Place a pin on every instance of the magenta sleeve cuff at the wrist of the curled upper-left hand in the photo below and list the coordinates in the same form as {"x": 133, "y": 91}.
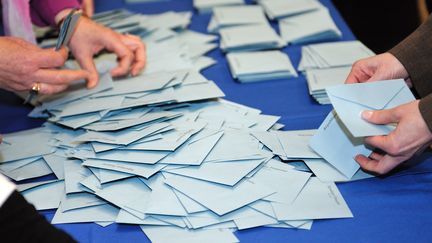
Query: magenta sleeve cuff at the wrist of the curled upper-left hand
{"x": 46, "y": 10}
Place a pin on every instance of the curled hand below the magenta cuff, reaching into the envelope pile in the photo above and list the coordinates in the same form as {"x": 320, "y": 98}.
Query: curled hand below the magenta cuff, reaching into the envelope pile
{"x": 90, "y": 38}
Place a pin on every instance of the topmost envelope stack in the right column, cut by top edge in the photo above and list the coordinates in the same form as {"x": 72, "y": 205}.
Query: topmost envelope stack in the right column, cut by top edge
{"x": 277, "y": 9}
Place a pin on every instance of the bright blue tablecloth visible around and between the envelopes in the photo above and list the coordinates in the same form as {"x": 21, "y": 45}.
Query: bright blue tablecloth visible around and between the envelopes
{"x": 396, "y": 208}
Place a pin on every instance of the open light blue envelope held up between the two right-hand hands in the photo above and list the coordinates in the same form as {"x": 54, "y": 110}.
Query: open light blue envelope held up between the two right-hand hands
{"x": 350, "y": 100}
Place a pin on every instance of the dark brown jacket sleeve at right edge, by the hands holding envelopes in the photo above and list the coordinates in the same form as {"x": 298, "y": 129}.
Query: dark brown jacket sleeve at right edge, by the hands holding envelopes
{"x": 415, "y": 53}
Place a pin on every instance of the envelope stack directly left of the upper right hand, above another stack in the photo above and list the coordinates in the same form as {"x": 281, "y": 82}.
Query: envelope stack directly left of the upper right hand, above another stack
{"x": 334, "y": 54}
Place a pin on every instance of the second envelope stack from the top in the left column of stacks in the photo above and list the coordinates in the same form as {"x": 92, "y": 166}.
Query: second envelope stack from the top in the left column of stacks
{"x": 236, "y": 15}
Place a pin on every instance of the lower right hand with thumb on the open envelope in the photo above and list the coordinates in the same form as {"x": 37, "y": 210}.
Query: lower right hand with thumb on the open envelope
{"x": 411, "y": 136}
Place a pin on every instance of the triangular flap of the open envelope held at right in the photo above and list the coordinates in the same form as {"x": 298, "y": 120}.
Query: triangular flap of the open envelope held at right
{"x": 375, "y": 95}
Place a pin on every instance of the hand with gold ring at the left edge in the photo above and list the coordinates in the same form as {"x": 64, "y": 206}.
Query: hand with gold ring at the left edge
{"x": 23, "y": 64}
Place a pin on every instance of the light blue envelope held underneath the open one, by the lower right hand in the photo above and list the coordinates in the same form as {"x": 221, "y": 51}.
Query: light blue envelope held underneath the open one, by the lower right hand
{"x": 336, "y": 145}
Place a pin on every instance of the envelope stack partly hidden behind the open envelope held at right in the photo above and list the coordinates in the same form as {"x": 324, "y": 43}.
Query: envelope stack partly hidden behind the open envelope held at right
{"x": 320, "y": 79}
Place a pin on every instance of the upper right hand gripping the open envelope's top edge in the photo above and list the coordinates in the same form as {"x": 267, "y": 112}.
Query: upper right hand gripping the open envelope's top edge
{"x": 381, "y": 67}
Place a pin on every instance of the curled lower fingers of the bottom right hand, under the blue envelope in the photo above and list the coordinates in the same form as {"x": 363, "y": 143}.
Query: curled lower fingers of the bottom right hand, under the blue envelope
{"x": 382, "y": 166}
